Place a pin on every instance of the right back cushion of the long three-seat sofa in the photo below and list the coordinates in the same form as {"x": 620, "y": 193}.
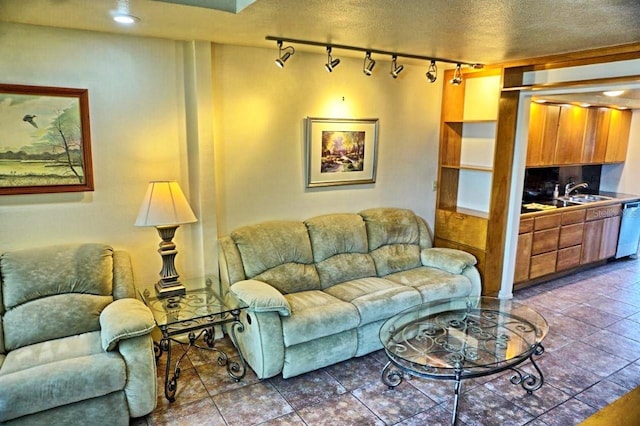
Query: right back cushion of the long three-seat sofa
{"x": 394, "y": 239}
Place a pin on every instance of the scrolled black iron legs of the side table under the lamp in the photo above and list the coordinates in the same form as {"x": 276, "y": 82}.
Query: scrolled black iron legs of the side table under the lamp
{"x": 235, "y": 370}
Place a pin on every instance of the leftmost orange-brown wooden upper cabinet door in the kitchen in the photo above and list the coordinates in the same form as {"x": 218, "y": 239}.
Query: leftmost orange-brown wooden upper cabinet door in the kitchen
{"x": 543, "y": 127}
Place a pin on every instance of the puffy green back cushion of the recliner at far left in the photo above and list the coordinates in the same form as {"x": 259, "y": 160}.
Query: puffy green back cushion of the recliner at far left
{"x": 54, "y": 292}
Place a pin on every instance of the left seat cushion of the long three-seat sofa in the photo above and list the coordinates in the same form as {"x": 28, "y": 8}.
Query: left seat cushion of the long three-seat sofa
{"x": 316, "y": 314}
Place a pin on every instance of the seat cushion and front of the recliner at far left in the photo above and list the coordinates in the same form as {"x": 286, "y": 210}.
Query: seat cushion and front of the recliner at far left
{"x": 58, "y": 372}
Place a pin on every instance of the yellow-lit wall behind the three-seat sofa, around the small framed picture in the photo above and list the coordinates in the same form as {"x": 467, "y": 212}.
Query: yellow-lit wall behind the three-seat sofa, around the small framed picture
{"x": 260, "y": 134}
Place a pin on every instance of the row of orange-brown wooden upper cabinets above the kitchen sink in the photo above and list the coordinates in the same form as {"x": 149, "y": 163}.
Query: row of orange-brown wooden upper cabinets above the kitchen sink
{"x": 562, "y": 135}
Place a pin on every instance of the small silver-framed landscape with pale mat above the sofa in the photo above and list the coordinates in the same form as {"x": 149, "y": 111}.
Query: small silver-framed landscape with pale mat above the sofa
{"x": 341, "y": 151}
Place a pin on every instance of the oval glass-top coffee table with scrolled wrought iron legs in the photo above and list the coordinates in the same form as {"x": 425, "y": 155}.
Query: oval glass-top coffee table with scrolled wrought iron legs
{"x": 457, "y": 339}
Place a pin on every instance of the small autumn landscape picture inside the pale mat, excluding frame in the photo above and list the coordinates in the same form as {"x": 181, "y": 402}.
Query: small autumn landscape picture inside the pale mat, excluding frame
{"x": 342, "y": 151}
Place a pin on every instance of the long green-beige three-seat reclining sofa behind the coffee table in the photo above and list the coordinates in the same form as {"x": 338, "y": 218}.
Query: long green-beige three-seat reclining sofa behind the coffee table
{"x": 318, "y": 290}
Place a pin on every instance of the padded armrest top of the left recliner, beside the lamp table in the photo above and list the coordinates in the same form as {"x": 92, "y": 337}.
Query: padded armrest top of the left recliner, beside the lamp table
{"x": 124, "y": 319}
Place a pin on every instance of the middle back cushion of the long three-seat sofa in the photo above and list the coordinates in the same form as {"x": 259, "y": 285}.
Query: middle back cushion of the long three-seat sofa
{"x": 340, "y": 248}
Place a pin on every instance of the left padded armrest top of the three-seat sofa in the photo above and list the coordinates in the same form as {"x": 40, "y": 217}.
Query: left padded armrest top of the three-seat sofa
{"x": 261, "y": 297}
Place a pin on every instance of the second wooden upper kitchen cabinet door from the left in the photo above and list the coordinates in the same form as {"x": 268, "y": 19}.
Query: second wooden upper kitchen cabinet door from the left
{"x": 571, "y": 131}
